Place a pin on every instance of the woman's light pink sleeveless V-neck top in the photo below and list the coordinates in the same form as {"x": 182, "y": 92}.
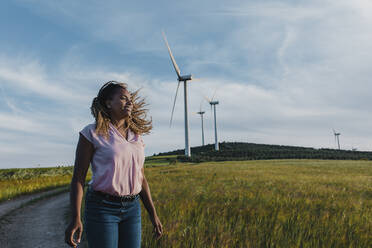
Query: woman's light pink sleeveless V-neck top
{"x": 116, "y": 162}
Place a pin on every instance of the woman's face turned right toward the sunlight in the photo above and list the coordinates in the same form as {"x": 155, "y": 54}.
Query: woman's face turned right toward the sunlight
{"x": 120, "y": 105}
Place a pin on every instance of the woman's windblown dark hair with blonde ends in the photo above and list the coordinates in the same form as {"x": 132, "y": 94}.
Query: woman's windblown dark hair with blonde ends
{"x": 137, "y": 121}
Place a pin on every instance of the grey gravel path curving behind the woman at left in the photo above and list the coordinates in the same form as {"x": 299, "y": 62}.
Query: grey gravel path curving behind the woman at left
{"x": 40, "y": 224}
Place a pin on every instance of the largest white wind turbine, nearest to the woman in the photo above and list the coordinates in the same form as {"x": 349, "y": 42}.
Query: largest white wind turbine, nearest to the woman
{"x": 184, "y": 79}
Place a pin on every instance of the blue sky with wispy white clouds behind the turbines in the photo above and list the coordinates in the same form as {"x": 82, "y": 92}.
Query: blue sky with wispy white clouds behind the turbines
{"x": 285, "y": 72}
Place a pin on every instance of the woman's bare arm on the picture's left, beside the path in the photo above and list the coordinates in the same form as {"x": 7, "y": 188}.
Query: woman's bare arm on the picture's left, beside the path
{"x": 84, "y": 153}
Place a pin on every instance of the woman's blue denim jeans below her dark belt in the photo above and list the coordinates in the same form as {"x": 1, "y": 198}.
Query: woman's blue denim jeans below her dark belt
{"x": 111, "y": 224}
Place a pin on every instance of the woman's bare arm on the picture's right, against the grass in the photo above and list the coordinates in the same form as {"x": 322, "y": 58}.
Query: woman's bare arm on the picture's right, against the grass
{"x": 149, "y": 205}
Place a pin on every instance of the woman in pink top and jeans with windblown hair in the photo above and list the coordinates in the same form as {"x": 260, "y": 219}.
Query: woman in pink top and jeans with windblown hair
{"x": 114, "y": 147}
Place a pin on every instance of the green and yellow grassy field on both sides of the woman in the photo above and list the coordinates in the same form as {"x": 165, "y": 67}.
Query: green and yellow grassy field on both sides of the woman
{"x": 265, "y": 203}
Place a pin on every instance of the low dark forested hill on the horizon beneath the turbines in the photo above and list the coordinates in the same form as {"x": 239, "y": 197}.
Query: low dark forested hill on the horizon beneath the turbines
{"x": 251, "y": 151}
